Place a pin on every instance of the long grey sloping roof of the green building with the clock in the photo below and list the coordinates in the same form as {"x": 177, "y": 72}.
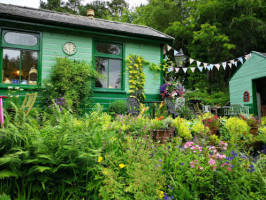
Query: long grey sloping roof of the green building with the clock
{"x": 48, "y": 16}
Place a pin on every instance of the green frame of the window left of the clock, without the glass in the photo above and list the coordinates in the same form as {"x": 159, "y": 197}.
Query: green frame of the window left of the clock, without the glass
{"x": 37, "y": 48}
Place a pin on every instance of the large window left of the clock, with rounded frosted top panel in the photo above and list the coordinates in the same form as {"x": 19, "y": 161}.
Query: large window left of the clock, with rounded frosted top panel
{"x": 20, "y": 55}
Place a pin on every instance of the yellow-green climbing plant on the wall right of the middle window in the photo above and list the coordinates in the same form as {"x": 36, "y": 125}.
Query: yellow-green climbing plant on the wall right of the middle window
{"x": 136, "y": 76}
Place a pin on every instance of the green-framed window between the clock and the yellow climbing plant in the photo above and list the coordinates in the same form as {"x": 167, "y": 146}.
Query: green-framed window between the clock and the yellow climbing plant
{"x": 108, "y": 62}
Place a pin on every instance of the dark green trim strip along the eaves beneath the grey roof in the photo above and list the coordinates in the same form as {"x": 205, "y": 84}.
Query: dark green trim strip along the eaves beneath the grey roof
{"x": 133, "y": 36}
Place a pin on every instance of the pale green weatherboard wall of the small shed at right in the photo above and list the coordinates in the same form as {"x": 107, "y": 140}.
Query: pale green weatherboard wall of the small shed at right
{"x": 243, "y": 79}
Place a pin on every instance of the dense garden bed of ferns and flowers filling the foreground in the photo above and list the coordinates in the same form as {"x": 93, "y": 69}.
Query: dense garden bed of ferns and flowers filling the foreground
{"x": 56, "y": 155}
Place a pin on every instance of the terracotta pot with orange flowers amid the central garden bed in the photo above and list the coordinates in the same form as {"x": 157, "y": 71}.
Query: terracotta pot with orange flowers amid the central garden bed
{"x": 161, "y": 129}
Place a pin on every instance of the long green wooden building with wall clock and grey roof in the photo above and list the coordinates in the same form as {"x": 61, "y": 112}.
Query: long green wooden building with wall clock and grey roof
{"x": 31, "y": 39}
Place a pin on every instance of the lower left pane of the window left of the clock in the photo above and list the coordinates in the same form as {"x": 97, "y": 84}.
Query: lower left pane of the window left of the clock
{"x": 11, "y": 60}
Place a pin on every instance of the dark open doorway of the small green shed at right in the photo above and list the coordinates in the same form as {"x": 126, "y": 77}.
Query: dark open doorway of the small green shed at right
{"x": 261, "y": 96}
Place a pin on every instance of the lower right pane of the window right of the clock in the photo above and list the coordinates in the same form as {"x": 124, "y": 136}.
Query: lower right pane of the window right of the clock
{"x": 115, "y": 73}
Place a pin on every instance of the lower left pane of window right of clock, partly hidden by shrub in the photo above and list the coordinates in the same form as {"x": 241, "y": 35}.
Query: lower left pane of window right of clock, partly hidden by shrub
{"x": 102, "y": 68}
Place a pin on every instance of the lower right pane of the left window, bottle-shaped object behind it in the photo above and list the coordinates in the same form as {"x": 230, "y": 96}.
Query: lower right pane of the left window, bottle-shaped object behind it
{"x": 29, "y": 60}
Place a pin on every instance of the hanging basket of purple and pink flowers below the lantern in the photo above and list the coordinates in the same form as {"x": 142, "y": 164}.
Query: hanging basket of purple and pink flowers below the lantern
{"x": 172, "y": 90}
